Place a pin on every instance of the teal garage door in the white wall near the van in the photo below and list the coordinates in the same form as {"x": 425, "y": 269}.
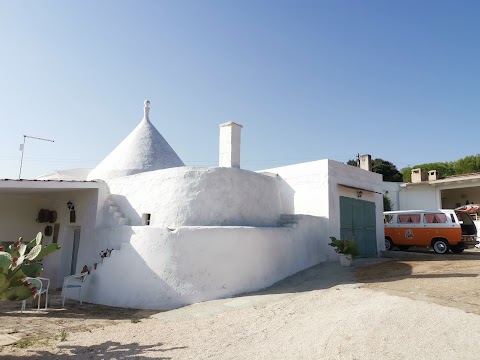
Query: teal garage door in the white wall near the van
{"x": 357, "y": 220}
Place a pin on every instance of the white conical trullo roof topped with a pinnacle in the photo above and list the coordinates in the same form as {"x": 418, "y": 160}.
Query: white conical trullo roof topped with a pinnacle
{"x": 143, "y": 150}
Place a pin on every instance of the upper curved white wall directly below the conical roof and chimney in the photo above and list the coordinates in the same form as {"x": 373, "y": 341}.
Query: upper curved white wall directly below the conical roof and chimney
{"x": 187, "y": 196}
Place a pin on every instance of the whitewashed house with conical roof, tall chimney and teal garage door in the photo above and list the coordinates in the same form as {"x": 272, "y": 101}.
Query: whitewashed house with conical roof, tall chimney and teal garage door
{"x": 186, "y": 234}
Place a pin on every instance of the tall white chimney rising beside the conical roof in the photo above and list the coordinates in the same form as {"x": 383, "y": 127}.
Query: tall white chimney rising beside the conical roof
{"x": 230, "y": 134}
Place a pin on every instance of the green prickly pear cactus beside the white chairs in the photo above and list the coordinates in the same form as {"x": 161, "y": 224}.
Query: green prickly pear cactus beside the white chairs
{"x": 19, "y": 261}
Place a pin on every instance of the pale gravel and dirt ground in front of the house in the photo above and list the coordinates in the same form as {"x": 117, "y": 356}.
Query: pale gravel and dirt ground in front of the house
{"x": 324, "y": 312}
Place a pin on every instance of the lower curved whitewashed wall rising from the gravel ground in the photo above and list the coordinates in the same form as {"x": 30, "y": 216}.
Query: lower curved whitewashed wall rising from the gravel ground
{"x": 162, "y": 269}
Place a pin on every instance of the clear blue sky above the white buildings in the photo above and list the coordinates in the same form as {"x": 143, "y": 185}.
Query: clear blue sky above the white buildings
{"x": 308, "y": 80}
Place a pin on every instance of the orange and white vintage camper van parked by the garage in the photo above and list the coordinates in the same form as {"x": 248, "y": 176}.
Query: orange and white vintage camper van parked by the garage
{"x": 443, "y": 230}
